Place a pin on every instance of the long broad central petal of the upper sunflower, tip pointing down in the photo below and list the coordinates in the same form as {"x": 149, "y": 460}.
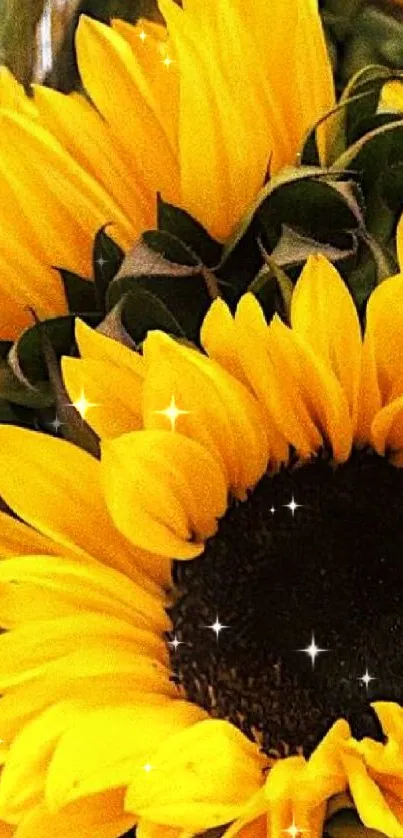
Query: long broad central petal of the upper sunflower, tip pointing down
{"x": 217, "y": 188}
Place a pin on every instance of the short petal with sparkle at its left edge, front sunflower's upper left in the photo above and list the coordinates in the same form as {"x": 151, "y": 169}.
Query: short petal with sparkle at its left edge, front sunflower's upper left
{"x": 114, "y": 395}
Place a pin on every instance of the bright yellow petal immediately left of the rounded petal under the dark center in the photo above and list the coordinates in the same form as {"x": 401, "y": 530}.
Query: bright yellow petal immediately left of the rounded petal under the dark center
{"x": 119, "y": 742}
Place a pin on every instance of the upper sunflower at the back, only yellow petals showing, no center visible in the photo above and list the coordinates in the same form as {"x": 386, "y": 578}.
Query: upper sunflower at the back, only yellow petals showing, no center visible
{"x": 199, "y": 112}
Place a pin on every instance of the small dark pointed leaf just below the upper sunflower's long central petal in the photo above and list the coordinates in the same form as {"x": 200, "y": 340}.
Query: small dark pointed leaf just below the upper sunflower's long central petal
{"x": 180, "y": 224}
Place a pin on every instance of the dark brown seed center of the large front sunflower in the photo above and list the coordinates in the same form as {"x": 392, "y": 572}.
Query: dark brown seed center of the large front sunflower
{"x": 332, "y": 571}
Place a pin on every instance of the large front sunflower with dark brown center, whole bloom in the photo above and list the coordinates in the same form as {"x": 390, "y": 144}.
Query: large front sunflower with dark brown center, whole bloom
{"x": 283, "y": 435}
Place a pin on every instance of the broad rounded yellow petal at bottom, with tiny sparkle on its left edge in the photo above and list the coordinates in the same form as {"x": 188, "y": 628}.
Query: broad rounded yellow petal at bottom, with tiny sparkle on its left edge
{"x": 199, "y": 778}
